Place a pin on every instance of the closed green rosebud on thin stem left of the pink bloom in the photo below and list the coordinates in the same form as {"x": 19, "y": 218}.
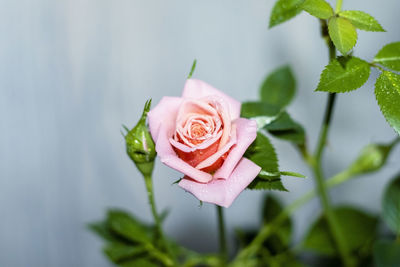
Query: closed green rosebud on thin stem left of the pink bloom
{"x": 140, "y": 146}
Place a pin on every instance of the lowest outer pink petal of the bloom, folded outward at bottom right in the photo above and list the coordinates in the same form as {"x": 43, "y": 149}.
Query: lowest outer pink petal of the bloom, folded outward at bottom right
{"x": 223, "y": 192}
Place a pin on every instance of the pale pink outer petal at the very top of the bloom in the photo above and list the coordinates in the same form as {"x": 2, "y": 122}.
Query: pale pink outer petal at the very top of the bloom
{"x": 199, "y": 89}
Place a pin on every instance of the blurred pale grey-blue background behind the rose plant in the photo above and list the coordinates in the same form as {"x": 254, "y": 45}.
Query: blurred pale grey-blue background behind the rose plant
{"x": 73, "y": 71}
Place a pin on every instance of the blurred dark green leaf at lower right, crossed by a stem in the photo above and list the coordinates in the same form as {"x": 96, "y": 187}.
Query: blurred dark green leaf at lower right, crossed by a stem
{"x": 358, "y": 228}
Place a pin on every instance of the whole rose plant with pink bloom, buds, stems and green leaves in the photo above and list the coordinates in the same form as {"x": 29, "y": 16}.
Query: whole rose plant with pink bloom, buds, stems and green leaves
{"x": 222, "y": 146}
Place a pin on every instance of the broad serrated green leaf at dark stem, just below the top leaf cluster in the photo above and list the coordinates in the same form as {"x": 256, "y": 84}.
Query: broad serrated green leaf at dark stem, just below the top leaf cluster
{"x": 344, "y": 74}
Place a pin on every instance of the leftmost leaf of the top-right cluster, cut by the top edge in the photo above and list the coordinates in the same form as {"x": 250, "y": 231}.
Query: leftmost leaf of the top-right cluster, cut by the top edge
{"x": 284, "y": 10}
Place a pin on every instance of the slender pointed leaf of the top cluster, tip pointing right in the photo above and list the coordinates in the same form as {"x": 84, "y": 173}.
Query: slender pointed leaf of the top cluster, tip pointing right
{"x": 362, "y": 20}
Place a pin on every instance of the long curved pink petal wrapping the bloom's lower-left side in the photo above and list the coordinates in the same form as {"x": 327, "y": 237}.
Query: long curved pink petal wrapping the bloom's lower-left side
{"x": 169, "y": 157}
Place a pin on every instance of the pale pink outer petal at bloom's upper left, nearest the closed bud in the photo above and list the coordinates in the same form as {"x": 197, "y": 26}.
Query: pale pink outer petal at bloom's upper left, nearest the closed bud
{"x": 164, "y": 113}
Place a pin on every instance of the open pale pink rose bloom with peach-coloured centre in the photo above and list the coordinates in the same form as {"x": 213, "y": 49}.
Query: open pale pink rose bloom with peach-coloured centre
{"x": 201, "y": 135}
